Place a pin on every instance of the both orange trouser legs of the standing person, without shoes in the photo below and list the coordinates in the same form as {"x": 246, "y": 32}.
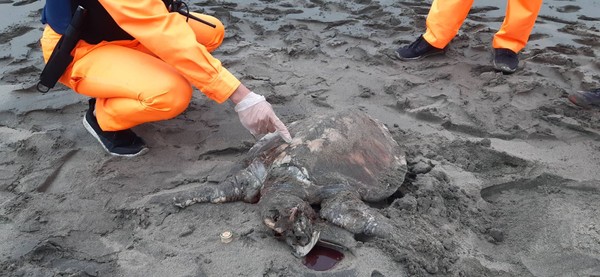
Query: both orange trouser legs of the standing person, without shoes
{"x": 446, "y": 16}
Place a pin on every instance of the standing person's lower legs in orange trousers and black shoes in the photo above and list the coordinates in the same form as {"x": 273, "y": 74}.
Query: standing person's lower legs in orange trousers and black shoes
{"x": 446, "y": 16}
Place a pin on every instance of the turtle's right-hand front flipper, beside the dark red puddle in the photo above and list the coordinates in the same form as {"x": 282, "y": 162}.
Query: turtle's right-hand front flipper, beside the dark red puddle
{"x": 348, "y": 211}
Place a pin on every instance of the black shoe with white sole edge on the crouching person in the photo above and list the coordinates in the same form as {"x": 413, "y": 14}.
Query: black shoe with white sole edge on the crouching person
{"x": 123, "y": 143}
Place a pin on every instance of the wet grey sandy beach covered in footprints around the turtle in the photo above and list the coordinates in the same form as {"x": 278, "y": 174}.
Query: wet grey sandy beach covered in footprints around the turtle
{"x": 503, "y": 177}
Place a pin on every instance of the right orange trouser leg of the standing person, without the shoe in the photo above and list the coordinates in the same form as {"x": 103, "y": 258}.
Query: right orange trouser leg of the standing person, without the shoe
{"x": 518, "y": 23}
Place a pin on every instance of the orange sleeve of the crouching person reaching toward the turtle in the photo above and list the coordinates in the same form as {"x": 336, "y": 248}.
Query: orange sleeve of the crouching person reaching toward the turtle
{"x": 169, "y": 37}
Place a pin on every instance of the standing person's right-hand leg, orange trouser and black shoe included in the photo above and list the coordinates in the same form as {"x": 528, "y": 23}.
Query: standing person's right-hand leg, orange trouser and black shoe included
{"x": 514, "y": 33}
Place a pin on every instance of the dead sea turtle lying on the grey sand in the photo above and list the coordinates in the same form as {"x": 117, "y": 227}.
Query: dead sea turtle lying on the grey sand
{"x": 339, "y": 161}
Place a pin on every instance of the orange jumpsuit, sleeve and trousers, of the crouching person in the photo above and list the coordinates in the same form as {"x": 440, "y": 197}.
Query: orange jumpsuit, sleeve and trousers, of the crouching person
{"x": 149, "y": 78}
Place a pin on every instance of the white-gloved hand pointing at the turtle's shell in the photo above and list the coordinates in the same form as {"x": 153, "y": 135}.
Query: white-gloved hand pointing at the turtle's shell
{"x": 257, "y": 115}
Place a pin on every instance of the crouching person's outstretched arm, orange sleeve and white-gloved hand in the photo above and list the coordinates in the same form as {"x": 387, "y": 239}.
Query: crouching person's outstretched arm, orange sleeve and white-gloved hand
{"x": 169, "y": 37}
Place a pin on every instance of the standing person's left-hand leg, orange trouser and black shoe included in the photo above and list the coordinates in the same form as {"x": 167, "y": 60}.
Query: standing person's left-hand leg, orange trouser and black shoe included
{"x": 443, "y": 22}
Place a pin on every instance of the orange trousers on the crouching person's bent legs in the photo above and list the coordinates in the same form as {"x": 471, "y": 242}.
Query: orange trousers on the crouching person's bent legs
{"x": 131, "y": 85}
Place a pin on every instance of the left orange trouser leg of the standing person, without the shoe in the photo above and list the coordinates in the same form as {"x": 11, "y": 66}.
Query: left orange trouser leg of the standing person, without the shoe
{"x": 444, "y": 20}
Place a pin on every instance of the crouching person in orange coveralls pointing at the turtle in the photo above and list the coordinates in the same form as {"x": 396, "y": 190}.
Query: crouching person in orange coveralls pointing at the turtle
{"x": 138, "y": 61}
